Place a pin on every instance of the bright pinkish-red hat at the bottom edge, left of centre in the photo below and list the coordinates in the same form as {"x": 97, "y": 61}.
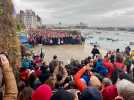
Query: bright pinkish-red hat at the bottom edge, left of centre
{"x": 44, "y": 92}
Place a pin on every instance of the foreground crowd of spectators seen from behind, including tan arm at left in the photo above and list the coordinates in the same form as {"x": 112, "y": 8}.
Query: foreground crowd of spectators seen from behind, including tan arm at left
{"x": 94, "y": 78}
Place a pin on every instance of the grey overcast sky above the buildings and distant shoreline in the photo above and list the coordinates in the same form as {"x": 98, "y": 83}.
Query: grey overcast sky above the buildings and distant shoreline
{"x": 92, "y": 12}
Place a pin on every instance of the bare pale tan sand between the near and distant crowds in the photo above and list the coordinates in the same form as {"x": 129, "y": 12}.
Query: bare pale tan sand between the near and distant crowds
{"x": 65, "y": 52}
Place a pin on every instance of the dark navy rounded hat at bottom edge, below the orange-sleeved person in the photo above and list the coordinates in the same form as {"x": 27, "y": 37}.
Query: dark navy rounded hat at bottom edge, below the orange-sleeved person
{"x": 91, "y": 93}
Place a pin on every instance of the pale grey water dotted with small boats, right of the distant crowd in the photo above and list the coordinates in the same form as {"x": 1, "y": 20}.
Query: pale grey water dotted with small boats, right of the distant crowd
{"x": 121, "y": 39}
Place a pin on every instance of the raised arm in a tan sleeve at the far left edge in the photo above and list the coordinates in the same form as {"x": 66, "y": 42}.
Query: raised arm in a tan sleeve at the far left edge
{"x": 9, "y": 79}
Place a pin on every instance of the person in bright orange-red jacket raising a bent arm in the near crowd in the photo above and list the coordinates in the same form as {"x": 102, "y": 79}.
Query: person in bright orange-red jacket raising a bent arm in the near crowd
{"x": 82, "y": 81}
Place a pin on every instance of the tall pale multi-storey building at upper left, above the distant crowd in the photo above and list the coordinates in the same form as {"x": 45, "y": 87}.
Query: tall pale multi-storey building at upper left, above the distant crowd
{"x": 29, "y": 19}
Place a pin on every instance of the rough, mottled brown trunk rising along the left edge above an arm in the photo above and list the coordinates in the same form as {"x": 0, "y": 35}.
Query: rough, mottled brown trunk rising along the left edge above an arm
{"x": 9, "y": 41}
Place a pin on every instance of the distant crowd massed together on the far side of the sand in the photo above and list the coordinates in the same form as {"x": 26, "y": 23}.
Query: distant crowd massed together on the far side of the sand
{"x": 53, "y": 38}
